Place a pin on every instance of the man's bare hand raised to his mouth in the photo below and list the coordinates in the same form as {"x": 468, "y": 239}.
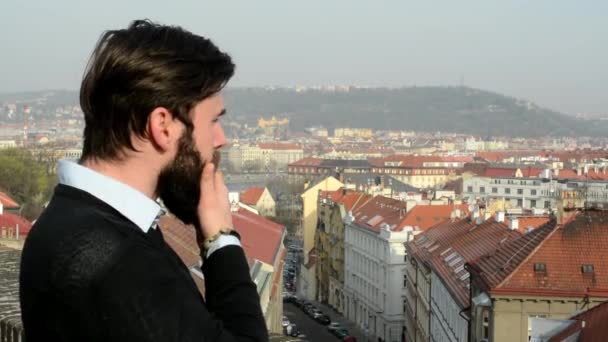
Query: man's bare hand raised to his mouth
{"x": 213, "y": 207}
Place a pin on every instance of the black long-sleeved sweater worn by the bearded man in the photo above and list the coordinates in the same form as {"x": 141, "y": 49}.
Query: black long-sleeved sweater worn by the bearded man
{"x": 90, "y": 274}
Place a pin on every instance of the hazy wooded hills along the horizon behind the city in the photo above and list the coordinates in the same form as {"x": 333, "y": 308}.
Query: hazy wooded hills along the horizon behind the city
{"x": 431, "y": 109}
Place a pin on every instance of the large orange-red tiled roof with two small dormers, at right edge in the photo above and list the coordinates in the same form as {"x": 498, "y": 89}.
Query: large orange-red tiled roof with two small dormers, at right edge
{"x": 564, "y": 249}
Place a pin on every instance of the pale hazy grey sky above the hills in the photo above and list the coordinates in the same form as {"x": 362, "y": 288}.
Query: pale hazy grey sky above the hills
{"x": 552, "y": 52}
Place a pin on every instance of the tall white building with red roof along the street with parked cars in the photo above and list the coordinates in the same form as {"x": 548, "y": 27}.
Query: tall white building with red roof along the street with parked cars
{"x": 375, "y": 260}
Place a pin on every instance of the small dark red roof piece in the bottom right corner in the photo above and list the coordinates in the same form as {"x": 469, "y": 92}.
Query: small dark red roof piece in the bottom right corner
{"x": 590, "y": 325}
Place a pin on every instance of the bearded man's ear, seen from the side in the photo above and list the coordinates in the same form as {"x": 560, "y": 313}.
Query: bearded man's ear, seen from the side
{"x": 163, "y": 129}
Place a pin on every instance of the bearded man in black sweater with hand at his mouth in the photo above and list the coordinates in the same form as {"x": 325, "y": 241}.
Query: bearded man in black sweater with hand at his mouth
{"x": 95, "y": 266}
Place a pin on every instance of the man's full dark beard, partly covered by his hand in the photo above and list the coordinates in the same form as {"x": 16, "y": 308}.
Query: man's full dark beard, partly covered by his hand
{"x": 179, "y": 184}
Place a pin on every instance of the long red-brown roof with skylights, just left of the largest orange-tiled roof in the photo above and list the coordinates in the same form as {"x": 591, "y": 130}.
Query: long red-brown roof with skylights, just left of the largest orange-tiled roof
{"x": 448, "y": 246}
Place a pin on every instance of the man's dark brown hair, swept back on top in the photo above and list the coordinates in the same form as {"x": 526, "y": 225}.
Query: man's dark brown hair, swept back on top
{"x": 135, "y": 70}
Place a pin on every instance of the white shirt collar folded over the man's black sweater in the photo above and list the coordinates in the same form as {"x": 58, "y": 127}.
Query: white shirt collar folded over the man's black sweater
{"x": 134, "y": 205}
